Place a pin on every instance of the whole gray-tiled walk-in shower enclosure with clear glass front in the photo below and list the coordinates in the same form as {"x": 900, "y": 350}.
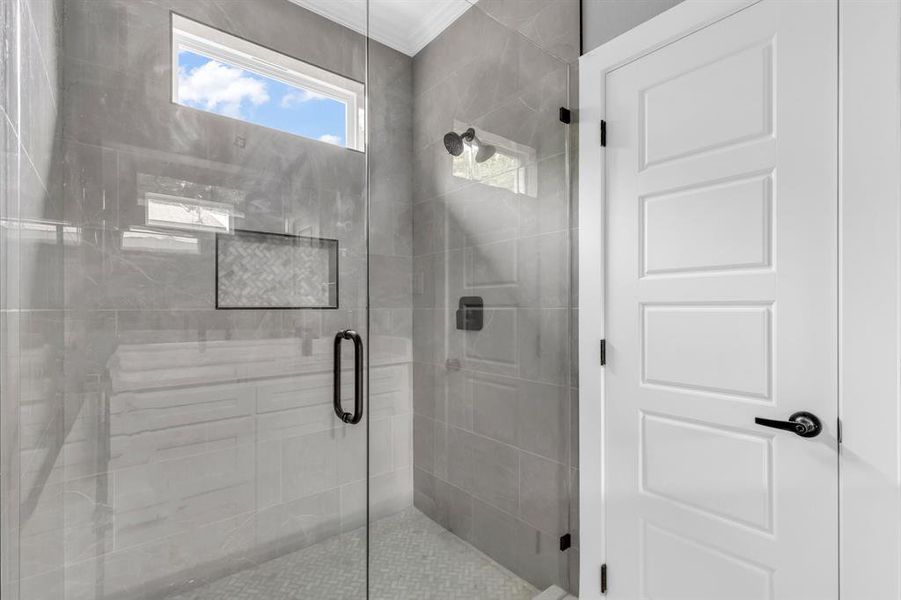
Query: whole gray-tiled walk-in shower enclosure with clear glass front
{"x": 261, "y": 334}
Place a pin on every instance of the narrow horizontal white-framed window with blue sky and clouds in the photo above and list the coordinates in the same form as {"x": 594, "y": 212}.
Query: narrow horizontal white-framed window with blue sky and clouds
{"x": 226, "y": 75}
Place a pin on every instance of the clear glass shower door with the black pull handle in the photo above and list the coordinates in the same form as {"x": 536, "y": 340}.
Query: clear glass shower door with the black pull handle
{"x": 184, "y": 235}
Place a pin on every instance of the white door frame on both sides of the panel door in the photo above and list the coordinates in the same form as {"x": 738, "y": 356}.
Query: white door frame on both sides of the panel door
{"x": 869, "y": 270}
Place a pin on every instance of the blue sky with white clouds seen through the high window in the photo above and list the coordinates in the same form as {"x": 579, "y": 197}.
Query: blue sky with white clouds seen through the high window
{"x": 227, "y": 90}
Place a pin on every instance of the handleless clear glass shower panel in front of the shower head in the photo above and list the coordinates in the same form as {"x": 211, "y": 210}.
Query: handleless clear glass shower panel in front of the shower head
{"x": 490, "y": 298}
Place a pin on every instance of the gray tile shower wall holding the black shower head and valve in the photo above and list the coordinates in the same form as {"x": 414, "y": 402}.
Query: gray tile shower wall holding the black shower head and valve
{"x": 494, "y": 410}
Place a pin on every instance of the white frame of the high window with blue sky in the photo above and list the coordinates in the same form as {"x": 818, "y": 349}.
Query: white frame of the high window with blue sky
{"x": 231, "y": 50}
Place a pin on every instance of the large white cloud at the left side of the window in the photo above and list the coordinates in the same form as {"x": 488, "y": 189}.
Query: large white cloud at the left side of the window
{"x": 220, "y": 88}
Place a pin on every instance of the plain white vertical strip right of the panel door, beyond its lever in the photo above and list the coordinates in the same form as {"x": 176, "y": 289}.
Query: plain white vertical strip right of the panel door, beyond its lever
{"x": 870, "y": 296}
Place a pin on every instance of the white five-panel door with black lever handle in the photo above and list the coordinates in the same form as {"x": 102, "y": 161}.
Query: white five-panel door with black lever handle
{"x": 721, "y": 308}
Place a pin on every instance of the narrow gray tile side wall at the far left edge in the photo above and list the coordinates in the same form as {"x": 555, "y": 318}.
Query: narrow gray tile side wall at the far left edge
{"x": 31, "y": 398}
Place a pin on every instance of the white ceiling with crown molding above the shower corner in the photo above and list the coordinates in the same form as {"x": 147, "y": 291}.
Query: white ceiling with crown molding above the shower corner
{"x": 405, "y": 25}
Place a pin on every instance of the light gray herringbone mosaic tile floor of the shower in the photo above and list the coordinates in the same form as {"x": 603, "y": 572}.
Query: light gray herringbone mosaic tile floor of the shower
{"x": 413, "y": 558}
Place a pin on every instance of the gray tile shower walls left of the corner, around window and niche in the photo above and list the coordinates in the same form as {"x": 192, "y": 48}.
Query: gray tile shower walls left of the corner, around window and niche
{"x": 148, "y": 439}
